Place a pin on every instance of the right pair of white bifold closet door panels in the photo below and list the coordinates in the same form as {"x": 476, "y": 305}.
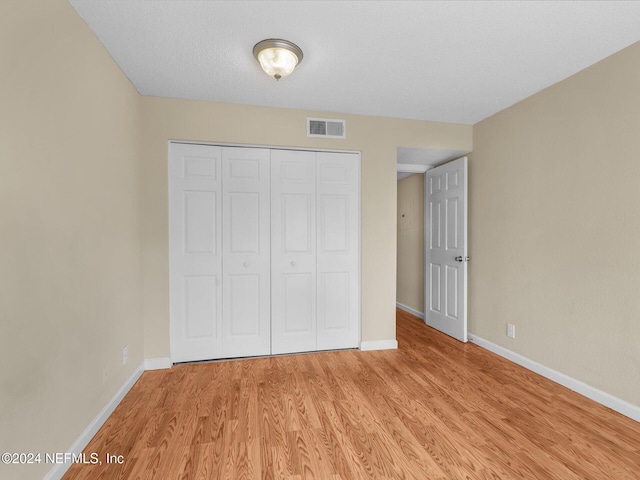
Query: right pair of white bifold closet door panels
{"x": 315, "y": 253}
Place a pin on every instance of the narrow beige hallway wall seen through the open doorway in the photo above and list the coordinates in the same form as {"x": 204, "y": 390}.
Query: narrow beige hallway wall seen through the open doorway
{"x": 410, "y": 279}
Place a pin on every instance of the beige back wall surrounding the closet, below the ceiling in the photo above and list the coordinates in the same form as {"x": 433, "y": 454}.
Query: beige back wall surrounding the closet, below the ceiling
{"x": 376, "y": 139}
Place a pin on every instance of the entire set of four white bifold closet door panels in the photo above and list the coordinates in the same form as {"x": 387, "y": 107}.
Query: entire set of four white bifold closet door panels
{"x": 264, "y": 251}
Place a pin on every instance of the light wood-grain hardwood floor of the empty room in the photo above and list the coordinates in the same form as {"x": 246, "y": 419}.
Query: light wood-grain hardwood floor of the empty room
{"x": 433, "y": 409}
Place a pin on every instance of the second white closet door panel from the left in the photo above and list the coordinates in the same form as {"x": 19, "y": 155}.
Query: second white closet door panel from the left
{"x": 246, "y": 211}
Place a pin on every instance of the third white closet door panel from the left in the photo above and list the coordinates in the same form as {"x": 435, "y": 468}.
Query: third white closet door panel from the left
{"x": 293, "y": 257}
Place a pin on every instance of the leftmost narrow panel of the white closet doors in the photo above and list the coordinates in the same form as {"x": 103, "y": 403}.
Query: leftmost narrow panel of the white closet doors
{"x": 195, "y": 251}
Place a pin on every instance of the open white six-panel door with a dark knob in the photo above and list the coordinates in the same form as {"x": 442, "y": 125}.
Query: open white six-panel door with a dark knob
{"x": 446, "y": 248}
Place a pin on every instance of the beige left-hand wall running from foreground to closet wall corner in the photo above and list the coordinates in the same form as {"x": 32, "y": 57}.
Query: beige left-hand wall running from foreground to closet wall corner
{"x": 70, "y": 262}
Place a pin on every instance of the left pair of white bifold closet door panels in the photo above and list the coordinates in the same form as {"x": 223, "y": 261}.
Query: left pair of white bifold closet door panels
{"x": 220, "y": 251}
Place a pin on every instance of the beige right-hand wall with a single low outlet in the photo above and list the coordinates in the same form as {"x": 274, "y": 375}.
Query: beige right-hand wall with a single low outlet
{"x": 555, "y": 226}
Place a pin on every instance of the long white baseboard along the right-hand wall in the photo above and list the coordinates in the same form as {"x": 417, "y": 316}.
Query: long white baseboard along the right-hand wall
{"x": 614, "y": 403}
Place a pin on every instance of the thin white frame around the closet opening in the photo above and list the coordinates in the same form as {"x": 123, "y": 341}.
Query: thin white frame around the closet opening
{"x": 273, "y": 147}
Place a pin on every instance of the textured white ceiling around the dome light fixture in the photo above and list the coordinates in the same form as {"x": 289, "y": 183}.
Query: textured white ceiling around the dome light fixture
{"x": 456, "y": 62}
